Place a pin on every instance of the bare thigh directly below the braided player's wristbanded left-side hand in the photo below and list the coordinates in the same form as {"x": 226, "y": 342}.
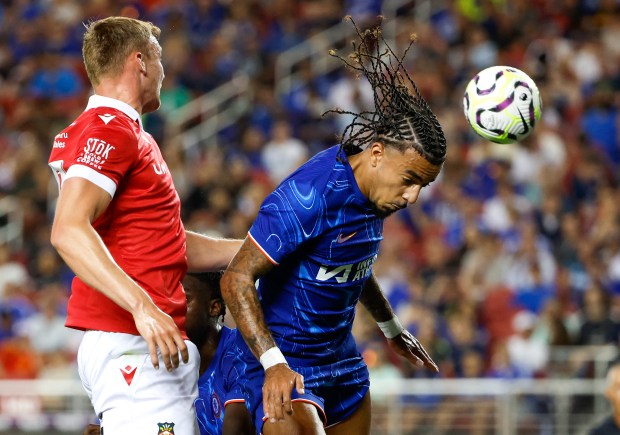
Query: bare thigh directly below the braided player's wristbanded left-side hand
{"x": 303, "y": 421}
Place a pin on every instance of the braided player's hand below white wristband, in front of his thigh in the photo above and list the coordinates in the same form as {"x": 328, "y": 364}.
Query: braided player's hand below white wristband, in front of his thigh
{"x": 279, "y": 383}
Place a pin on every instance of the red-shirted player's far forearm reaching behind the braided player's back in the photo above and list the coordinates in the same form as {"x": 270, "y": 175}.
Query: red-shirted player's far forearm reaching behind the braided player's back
{"x": 207, "y": 254}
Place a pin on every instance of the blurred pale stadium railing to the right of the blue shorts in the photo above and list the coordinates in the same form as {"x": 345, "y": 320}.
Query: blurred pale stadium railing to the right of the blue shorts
{"x": 485, "y": 406}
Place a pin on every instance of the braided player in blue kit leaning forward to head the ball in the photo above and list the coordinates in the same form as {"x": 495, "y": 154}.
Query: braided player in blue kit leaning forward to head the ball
{"x": 312, "y": 247}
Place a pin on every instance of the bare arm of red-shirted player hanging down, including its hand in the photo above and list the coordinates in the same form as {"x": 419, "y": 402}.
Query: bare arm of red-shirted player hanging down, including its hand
{"x": 80, "y": 202}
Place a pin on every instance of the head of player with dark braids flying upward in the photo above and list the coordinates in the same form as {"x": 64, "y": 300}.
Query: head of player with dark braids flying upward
{"x": 402, "y": 137}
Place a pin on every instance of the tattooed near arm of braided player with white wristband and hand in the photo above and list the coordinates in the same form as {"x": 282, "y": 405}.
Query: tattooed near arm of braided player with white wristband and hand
{"x": 239, "y": 293}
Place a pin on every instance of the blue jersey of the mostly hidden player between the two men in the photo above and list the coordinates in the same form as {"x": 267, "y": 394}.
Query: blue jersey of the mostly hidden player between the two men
{"x": 218, "y": 386}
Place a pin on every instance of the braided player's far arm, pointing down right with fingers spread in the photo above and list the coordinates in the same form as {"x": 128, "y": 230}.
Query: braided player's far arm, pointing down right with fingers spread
{"x": 399, "y": 339}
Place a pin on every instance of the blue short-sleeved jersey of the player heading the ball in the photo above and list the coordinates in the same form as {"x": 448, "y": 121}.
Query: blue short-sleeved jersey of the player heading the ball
{"x": 323, "y": 234}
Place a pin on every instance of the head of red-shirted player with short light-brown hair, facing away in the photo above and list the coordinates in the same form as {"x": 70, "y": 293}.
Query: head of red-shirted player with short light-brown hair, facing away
{"x": 115, "y": 43}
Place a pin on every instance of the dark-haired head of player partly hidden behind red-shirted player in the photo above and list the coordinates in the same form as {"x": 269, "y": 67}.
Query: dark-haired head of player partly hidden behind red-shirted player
{"x": 204, "y": 305}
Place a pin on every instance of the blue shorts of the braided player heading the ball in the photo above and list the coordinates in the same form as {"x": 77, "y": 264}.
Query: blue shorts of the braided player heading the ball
{"x": 337, "y": 389}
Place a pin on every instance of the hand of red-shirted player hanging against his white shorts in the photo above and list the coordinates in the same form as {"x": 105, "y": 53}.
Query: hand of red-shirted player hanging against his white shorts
{"x": 160, "y": 332}
